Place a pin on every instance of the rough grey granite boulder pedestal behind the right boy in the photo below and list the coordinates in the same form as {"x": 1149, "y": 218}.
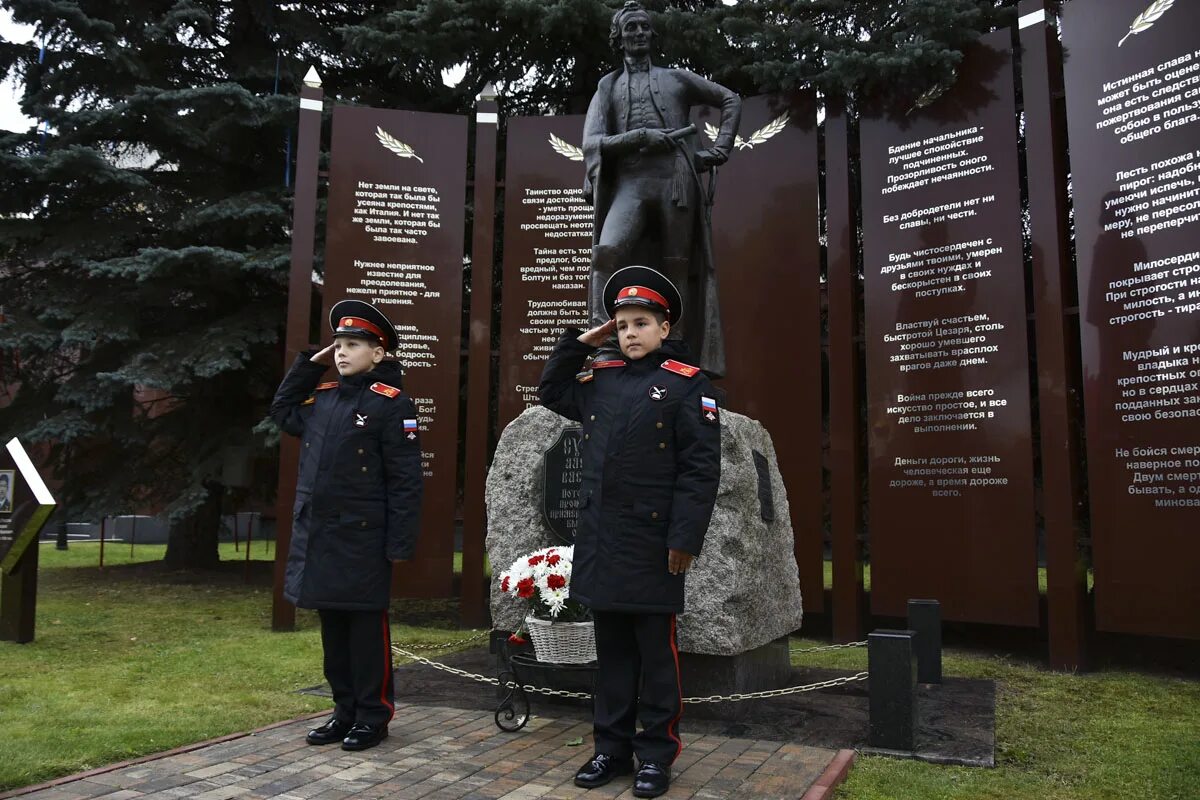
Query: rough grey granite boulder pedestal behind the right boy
{"x": 743, "y": 593}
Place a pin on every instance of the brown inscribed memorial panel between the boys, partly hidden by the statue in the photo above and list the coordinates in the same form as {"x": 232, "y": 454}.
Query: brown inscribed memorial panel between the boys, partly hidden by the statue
{"x": 548, "y": 251}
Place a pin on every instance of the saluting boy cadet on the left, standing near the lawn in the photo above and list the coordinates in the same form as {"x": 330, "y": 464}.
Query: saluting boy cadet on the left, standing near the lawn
{"x": 357, "y": 512}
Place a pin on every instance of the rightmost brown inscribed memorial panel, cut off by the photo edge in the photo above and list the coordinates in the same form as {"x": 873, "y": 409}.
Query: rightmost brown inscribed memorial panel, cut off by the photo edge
{"x": 1133, "y": 107}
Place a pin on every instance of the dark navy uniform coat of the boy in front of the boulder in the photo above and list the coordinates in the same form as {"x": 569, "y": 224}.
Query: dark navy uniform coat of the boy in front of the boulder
{"x": 652, "y": 465}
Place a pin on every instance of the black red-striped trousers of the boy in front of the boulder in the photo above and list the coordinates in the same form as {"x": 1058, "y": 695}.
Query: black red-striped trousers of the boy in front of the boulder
{"x": 638, "y": 677}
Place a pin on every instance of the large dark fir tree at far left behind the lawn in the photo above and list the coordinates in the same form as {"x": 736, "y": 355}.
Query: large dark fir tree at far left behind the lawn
{"x": 146, "y": 249}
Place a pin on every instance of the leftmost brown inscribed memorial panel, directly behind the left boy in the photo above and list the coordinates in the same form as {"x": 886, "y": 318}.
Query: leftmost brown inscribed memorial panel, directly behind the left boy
{"x": 395, "y": 239}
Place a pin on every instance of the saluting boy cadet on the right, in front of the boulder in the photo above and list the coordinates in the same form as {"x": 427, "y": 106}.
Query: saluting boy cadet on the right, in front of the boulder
{"x": 652, "y": 464}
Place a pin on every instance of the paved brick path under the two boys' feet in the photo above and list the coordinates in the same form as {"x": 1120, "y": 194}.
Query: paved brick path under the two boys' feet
{"x": 442, "y": 754}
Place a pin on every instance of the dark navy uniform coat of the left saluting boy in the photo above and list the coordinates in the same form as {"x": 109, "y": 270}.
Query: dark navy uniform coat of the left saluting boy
{"x": 359, "y": 492}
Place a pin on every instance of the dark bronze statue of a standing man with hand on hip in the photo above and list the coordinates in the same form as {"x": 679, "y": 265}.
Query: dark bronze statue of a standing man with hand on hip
{"x": 644, "y": 179}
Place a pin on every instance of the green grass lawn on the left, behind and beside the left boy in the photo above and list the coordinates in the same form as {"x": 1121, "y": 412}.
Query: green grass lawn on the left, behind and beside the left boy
{"x": 131, "y": 660}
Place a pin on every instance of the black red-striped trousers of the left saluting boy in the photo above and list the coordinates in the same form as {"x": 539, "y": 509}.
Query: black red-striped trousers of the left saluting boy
{"x": 358, "y": 665}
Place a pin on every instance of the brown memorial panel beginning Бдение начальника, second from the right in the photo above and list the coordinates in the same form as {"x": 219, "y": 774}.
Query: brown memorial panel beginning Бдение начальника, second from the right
{"x": 947, "y": 365}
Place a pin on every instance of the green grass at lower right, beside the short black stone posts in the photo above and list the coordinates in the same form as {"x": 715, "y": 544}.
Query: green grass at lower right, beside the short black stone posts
{"x": 1060, "y": 737}
